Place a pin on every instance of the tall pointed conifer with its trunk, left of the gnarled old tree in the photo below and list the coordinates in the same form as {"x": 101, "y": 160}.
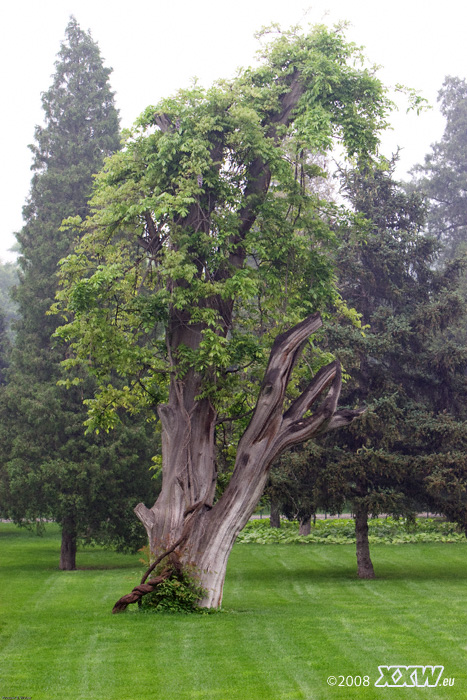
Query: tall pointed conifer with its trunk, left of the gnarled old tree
{"x": 52, "y": 469}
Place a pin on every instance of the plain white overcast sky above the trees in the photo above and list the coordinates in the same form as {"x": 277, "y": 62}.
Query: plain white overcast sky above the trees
{"x": 156, "y": 47}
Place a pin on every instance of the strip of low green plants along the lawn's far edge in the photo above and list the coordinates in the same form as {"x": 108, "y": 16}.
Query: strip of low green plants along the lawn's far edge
{"x": 342, "y": 531}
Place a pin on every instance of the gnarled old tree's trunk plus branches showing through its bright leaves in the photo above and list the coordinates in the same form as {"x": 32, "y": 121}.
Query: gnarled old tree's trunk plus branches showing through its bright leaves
{"x": 184, "y": 512}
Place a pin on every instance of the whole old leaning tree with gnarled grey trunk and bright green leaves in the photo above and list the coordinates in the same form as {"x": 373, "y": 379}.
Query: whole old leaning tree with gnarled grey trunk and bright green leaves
{"x": 200, "y": 275}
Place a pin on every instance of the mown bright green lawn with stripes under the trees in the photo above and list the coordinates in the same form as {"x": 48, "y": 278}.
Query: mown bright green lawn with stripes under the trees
{"x": 293, "y": 616}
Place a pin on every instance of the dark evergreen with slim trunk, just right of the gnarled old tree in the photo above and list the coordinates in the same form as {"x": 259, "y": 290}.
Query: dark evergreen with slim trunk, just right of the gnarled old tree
{"x": 407, "y": 367}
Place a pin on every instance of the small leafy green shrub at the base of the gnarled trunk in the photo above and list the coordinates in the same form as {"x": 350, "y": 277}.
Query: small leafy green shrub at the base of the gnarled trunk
{"x": 180, "y": 593}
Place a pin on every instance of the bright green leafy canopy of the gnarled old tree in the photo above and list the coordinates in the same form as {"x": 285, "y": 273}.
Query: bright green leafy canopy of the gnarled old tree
{"x": 207, "y": 221}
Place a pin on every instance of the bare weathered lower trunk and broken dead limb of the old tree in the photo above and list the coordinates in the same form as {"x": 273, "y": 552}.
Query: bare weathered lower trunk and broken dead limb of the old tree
{"x": 189, "y": 471}
